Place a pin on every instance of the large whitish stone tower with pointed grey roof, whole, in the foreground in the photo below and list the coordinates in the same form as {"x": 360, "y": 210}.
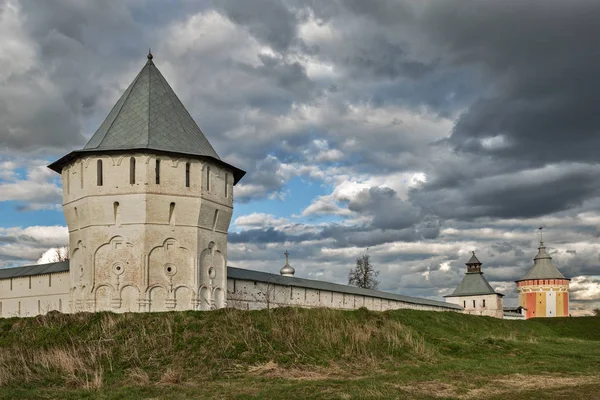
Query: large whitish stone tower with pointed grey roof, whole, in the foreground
{"x": 148, "y": 203}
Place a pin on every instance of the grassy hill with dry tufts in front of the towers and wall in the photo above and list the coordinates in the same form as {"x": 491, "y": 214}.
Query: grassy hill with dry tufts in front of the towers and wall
{"x": 298, "y": 353}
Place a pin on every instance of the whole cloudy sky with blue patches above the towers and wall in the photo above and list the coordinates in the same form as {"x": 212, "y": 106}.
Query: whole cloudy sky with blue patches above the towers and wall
{"x": 416, "y": 131}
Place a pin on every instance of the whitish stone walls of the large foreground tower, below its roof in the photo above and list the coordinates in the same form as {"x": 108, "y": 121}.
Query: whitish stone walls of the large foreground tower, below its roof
{"x": 138, "y": 244}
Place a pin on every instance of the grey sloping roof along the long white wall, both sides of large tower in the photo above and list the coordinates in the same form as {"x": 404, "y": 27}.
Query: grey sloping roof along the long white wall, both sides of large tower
{"x": 249, "y": 275}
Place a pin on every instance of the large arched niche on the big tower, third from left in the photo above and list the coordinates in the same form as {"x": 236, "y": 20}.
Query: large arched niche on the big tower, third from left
{"x": 170, "y": 265}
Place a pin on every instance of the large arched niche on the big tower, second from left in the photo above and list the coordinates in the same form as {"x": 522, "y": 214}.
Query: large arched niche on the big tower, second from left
{"x": 115, "y": 264}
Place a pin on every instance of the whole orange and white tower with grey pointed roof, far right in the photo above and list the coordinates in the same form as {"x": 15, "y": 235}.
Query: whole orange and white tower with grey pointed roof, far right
{"x": 544, "y": 291}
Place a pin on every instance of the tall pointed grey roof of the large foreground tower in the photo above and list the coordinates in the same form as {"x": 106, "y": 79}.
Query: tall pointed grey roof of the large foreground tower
{"x": 150, "y": 115}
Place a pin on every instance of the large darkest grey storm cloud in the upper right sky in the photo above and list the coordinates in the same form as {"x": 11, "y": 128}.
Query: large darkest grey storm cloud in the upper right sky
{"x": 544, "y": 71}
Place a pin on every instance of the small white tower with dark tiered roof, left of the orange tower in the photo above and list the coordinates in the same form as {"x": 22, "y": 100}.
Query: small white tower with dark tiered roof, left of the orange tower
{"x": 475, "y": 294}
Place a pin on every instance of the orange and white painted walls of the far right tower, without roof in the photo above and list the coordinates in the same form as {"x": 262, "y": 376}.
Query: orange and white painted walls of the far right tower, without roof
{"x": 544, "y": 298}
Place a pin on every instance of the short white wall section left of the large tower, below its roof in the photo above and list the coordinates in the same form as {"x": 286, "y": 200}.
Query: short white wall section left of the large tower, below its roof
{"x": 34, "y": 295}
